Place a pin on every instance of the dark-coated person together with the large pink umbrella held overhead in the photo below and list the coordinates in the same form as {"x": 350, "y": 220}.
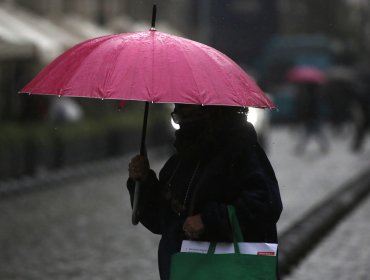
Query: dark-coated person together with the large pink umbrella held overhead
{"x": 218, "y": 161}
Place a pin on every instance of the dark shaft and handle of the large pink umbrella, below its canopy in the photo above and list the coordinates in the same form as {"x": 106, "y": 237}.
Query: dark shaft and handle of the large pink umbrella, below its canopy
{"x": 143, "y": 152}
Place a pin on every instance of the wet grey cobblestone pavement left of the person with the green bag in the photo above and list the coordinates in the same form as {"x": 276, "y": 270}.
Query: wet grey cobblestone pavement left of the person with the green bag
{"x": 79, "y": 231}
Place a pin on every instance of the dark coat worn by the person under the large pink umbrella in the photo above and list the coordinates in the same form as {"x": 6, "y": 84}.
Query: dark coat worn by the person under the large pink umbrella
{"x": 234, "y": 171}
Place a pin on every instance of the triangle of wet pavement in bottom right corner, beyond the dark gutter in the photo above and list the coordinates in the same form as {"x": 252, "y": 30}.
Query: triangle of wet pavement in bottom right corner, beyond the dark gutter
{"x": 342, "y": 255}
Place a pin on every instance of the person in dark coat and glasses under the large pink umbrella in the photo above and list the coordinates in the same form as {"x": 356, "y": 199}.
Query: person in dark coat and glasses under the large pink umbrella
{"x": 218, "y": 162}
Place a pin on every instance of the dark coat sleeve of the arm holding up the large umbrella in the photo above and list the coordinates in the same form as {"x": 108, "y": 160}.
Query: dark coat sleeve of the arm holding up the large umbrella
{"x": 149, "y": 202}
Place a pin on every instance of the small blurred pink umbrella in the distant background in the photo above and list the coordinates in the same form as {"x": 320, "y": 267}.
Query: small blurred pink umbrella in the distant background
{"x": 306, "y": 74}
